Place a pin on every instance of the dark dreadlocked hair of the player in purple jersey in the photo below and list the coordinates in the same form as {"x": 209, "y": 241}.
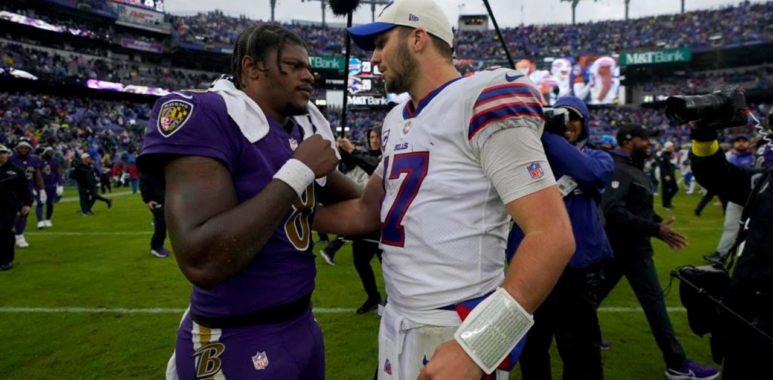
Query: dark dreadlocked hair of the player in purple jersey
{"x": 256, "y": 42}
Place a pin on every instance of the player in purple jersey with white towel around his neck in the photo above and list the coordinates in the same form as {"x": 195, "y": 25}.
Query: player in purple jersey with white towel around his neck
{"x": 239, "y": 163}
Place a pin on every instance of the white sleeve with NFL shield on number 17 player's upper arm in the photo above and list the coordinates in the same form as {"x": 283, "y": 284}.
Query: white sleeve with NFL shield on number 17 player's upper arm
{"x": 514, "y": 160}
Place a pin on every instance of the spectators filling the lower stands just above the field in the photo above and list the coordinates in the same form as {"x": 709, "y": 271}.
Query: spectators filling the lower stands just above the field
{"x": 69, "y": 123}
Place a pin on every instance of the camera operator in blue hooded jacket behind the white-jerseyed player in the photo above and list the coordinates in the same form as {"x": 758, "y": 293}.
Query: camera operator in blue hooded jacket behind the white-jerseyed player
{"x": 569, "y": 312}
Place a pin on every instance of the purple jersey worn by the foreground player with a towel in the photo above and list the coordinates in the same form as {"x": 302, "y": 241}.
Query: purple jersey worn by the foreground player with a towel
{"x": 197, "y": 124}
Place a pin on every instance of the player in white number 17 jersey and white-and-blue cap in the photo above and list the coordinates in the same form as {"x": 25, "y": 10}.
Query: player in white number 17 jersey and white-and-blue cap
{"x": 461, "y": 157}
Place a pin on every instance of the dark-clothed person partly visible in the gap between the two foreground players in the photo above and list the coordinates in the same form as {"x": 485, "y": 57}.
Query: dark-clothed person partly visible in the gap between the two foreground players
{"x": 364, "y": 247}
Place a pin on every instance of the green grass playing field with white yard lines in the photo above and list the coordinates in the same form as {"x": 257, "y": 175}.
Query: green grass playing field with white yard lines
{"x": 88, "y": 301}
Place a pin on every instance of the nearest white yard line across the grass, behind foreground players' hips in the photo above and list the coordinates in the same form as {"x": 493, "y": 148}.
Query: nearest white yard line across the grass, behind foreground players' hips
{"x": 319, "y": 310}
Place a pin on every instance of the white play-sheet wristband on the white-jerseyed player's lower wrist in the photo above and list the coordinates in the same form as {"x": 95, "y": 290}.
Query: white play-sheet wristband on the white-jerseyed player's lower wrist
{"x": 492, "y": 329}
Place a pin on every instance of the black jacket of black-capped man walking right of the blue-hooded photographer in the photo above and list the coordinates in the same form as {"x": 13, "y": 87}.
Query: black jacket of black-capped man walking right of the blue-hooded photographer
{"x": 627, "y": 204}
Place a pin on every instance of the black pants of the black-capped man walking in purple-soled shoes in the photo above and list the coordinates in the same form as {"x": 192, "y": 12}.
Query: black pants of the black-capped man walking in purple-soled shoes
{"x": 639, "y": 269}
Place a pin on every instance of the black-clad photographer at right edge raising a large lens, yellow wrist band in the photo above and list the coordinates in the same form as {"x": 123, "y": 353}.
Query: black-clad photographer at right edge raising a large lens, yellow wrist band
{"x": 746, "y": 348}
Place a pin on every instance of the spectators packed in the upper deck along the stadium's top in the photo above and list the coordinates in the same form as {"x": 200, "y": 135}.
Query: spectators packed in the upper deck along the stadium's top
{"x": 728, "y": 26}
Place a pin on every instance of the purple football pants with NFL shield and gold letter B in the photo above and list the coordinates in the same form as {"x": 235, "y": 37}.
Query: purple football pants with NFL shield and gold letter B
{"x": 288, "y": 350}
